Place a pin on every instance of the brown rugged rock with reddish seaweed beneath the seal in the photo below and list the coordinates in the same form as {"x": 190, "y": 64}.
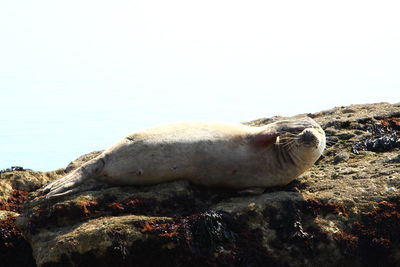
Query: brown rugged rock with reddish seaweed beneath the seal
{"x": 344, "y": 211}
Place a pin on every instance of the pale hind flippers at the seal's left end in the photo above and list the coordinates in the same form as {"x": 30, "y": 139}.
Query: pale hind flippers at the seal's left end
{"x": 67, "y": 184}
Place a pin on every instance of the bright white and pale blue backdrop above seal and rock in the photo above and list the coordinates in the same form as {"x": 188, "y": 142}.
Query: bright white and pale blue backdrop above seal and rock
{"x": 76, "y": 76}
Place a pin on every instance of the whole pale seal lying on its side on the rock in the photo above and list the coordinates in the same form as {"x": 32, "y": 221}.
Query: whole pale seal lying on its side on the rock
{"x": 210, "y": 154}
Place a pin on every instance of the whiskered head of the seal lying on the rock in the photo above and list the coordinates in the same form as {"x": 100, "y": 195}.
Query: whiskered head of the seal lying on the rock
{"x": 302, "y": 140}
